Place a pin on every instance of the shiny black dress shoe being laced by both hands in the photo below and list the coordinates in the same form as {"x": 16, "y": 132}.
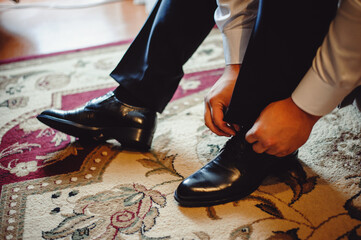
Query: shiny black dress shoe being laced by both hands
{"x": 235, "y": 173}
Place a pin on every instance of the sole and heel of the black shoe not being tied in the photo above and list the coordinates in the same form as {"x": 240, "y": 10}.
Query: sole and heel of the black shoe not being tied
{"x": 135, "y": 138}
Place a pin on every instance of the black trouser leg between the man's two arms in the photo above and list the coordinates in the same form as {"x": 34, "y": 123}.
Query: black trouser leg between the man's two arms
{"x": 283, "y": 44}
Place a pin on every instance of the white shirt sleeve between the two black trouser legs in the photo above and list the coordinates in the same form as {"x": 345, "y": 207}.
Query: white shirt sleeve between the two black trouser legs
{"x": 235, "y": 19}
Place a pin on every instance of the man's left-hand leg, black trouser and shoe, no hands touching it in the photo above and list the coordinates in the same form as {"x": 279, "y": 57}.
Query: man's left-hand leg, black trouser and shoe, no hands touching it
{"x": 148, "y": 75}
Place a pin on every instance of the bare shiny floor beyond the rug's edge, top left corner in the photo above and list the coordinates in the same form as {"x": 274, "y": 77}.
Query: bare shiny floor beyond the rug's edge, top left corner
{"x": 42, "y": 30}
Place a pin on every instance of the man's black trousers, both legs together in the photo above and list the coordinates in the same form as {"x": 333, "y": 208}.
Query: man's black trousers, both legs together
{"x": 282, "y": 46}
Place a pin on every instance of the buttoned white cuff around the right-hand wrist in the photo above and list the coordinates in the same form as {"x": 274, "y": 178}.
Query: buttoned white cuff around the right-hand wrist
{"x": 317, "y": 97}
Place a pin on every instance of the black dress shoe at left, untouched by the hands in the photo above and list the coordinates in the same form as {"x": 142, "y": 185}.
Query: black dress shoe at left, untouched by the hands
{"x": 106, "y": 118}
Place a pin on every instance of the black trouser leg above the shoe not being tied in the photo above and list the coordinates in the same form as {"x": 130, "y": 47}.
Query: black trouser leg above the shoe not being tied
{"x": 153, "y": 65}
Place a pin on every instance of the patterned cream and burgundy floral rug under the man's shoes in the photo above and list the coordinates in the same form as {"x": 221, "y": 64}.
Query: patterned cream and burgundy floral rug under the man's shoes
{"x": 56, "y": 187}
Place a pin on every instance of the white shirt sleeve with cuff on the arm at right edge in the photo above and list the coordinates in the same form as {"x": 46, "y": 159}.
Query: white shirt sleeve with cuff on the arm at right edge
{"x": 336, "y": 68}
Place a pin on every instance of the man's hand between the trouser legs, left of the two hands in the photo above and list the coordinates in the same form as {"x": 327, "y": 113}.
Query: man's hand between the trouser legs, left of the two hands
{"x": 217, "y": 102}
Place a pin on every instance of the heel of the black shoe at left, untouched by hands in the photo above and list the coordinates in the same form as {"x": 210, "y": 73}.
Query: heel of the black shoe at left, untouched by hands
{"x": 136, "y": 138}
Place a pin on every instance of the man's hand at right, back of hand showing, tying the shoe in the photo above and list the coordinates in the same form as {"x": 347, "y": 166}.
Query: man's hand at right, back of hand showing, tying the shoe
{"x": 281, "y": 128}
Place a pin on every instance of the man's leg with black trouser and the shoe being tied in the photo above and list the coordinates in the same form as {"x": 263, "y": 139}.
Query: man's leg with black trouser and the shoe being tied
{"x": 283, "y": 43}
